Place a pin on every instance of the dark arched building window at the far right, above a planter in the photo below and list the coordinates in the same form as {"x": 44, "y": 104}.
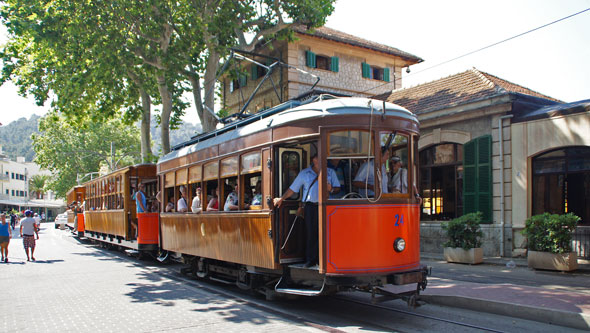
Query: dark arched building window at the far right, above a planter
{"x": 561, "y": 182}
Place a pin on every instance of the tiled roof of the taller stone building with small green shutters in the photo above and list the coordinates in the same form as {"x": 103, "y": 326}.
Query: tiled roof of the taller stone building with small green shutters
{"x": 339, "y": 36}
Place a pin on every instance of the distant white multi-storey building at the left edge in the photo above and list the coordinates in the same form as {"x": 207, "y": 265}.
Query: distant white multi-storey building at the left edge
{"x": 15, "y": 192}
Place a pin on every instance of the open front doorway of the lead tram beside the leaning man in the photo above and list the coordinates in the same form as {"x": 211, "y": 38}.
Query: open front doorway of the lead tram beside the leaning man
{"x": 291, "y": 228}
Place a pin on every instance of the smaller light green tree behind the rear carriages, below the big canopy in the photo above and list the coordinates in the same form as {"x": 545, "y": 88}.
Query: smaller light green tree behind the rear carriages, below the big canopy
{"x": 67, "y": 150}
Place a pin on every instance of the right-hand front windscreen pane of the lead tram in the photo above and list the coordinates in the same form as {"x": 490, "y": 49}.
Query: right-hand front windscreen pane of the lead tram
{"x": 388, "y": 140}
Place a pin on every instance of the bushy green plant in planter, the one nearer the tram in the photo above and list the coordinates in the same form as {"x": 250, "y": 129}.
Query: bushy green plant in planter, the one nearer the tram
{"x": 464, "y": 244}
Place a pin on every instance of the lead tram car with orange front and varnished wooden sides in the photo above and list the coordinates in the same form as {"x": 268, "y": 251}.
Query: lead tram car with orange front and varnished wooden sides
{"x": 368, "y": 227}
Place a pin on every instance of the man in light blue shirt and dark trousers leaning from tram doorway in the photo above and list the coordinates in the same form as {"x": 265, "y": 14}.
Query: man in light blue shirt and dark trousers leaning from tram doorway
{"x": 307, "y": 179}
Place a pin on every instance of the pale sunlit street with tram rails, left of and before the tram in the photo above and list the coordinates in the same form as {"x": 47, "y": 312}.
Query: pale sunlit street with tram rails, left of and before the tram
{"x": 80, "y": 287}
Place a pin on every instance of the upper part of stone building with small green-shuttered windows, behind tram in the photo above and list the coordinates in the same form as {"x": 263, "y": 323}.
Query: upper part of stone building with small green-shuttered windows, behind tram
{"x": 344, "y": 64}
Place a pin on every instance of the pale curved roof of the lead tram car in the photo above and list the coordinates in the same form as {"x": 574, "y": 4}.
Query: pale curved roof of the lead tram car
{"x": 285, "y": 113}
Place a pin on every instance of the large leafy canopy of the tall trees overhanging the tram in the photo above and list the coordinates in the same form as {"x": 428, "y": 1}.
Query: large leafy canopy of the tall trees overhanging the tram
{"x": 98, "y": 58}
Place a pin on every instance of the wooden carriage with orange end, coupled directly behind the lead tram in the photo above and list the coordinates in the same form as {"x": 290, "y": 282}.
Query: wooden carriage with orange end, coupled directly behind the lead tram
{"x": 110, "y": 213}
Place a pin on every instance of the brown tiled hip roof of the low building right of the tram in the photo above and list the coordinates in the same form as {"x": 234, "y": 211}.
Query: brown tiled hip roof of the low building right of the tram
{"x": 461, "y": 88}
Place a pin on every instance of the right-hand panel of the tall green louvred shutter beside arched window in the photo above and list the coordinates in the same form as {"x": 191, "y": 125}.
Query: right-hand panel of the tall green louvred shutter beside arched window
{"x": 484, "y": 174}
